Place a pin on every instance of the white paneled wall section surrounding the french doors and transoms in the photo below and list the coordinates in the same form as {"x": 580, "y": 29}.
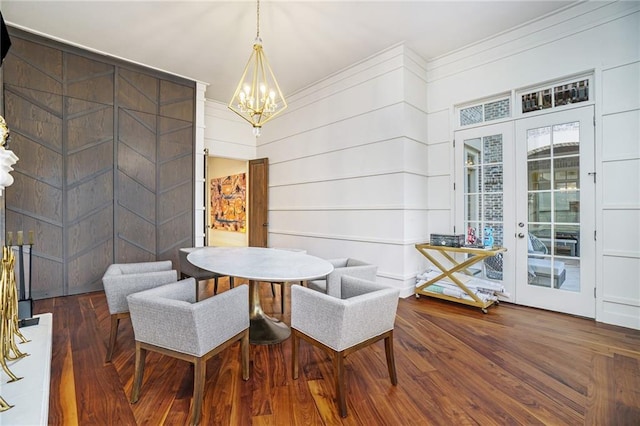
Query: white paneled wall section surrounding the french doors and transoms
{"x": 597, "y": 37}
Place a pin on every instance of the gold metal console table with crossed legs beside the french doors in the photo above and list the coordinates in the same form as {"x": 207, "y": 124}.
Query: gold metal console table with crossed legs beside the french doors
{"x": 444, "y": 258}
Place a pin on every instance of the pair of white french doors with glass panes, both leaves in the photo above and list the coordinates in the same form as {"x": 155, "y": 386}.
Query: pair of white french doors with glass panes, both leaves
{"x": 526, "y": 185}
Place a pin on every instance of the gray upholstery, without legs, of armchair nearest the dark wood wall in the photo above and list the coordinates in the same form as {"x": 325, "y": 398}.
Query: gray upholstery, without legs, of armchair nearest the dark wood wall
{"x": 118, "y": 287}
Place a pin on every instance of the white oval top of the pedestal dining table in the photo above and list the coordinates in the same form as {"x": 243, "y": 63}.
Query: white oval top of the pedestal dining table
{"x": 260, "y": 264}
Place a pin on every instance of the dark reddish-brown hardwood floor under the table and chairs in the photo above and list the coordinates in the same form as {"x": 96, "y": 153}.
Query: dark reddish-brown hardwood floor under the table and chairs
{"x": 456, "y": 366}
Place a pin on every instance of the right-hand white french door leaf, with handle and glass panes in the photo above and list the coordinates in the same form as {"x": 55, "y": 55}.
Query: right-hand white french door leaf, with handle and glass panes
{"x": 555, "y": 211}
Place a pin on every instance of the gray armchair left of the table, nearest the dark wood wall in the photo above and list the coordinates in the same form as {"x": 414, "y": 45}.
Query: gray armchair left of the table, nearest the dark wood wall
{"x": 122, "y": 279}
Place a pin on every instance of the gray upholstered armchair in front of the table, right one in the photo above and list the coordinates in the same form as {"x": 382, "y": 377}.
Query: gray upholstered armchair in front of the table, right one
{"x": 365, "y": 314}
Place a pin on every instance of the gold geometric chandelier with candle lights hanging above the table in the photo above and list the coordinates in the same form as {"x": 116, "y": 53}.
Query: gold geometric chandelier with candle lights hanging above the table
{"x": 257, "y": 98}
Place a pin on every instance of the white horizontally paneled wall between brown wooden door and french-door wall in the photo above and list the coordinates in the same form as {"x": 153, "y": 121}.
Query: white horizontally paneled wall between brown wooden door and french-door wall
{"x": 348, "y": 167}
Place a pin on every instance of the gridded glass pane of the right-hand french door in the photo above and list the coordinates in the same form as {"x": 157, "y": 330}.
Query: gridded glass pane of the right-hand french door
{"x": 554, "y": 206}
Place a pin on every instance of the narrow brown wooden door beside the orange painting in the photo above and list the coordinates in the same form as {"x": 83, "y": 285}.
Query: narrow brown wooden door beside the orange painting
{"x": 258, "y": 202}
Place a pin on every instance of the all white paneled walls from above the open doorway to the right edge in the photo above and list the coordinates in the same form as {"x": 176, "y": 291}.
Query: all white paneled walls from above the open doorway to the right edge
{"x": 357, "y": 169}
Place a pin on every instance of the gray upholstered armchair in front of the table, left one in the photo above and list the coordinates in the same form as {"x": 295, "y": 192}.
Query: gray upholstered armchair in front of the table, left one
{"x": 167, "y": 320}
